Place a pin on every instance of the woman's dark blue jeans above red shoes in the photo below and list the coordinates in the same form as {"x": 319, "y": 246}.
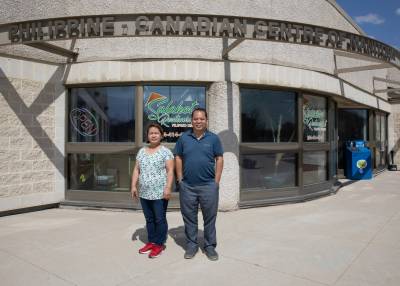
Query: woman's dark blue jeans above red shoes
{"x": 155, "y": 213}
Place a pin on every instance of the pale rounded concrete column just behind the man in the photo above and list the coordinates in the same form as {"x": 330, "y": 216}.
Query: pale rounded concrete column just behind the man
{"x": 224, "y": 118}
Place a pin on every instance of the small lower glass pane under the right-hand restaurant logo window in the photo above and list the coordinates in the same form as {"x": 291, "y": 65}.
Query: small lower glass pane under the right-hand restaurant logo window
{"x": 314, "y": 167}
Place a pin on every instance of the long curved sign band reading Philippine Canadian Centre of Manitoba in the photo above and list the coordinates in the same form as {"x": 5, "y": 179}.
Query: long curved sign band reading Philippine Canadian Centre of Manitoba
{"x": 195, "y": 26}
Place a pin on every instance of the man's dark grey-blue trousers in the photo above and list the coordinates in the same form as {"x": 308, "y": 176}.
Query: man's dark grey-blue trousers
{"x": 190, "y": 198}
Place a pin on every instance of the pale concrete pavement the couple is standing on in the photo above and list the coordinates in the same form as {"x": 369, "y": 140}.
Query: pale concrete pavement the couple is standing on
{"x": 351, "y": 238}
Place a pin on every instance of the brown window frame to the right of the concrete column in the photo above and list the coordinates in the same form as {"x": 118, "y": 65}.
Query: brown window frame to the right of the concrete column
{"x": 300, "y": 191}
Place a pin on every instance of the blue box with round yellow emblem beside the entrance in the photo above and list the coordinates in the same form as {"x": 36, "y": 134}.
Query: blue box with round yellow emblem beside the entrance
{"x": 358, "y": 161}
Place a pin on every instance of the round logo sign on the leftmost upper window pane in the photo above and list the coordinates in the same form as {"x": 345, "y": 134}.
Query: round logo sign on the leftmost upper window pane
{"x": 84, "y": 122}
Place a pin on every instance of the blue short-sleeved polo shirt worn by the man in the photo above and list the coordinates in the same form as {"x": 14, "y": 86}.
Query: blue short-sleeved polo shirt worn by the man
{"x": 198, "y": 156}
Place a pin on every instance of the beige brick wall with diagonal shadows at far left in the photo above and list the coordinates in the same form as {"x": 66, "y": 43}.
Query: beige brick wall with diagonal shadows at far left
{"x": 27, "y": 133}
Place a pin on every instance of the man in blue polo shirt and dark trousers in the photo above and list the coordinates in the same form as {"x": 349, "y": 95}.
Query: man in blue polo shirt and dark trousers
{"x": 199, "y": 164}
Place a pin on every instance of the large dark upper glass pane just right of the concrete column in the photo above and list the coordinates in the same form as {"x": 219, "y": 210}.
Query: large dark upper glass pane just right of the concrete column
{"x": 268, "y": 116}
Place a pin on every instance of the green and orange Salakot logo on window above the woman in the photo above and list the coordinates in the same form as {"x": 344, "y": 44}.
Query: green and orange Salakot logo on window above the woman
{"x": 169, "y": 113}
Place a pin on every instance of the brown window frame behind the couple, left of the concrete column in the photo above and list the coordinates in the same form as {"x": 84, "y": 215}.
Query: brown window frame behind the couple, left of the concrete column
{"x": 115, "y": 198}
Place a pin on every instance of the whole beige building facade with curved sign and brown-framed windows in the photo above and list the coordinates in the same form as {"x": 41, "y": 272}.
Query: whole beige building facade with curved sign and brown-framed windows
{"x": 286, "y": 85}
